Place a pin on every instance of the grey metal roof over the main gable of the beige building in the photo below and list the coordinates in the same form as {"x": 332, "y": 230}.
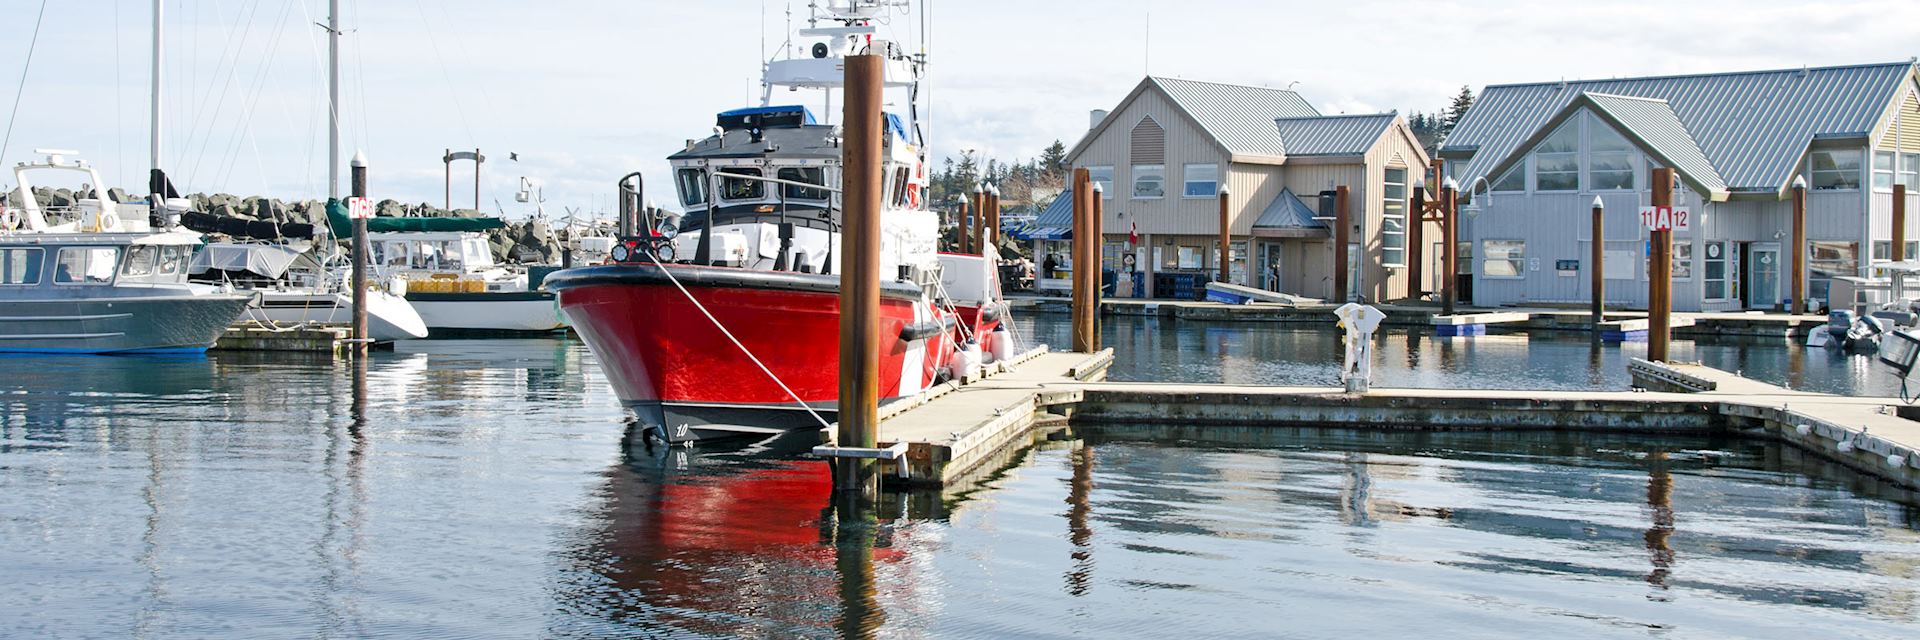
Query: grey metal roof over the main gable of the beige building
{"x": 1236, "y": 116}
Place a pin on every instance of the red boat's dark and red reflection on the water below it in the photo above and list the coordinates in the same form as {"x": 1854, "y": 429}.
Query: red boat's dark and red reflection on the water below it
{"x": 742, "y": 543}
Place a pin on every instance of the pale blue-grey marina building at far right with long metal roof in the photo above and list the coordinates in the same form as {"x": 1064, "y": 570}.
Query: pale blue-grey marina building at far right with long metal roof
{"x": 1533, "y": 159}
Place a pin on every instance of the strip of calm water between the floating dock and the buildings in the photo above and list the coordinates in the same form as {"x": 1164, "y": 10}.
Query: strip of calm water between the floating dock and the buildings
{"x": 1147, "y": 349}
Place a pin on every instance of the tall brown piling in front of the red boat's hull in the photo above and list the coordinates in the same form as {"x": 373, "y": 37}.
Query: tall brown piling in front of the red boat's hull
{"x": 859, "y": 324}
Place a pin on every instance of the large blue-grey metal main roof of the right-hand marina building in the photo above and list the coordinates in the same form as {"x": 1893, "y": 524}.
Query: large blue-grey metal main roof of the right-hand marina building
{"x": 1752, "y": 126}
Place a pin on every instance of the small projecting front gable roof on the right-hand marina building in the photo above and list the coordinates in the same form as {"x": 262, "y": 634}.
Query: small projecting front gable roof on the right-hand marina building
{"x": 1646, "y": 122}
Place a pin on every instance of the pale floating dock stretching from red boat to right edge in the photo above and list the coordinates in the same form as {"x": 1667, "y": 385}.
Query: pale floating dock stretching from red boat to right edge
{"x": 957, "y": 435}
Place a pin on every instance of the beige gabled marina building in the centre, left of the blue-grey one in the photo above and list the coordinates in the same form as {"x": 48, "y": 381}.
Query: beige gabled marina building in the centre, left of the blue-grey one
{"x": 1172, "y": 147}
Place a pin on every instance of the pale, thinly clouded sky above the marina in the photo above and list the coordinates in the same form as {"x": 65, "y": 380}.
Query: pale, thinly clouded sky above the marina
{"x": 590, "y": 91}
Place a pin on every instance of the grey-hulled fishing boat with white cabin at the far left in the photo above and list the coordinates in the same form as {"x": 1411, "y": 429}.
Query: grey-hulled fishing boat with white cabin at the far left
{"x": 101, "y": 283}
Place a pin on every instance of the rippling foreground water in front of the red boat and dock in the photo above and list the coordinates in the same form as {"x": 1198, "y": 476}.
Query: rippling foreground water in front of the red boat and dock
{"x": 485, "y": 491}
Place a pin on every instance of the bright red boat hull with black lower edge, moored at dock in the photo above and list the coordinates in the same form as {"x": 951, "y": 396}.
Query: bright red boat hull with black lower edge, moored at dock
{"x": 683, "y": 374}
